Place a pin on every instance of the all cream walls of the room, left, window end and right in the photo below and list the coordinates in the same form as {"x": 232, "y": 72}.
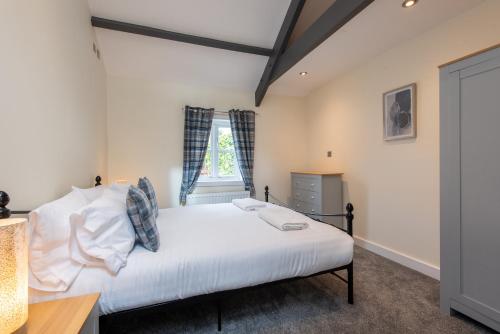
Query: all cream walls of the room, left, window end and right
{"x": 53, "y": 122}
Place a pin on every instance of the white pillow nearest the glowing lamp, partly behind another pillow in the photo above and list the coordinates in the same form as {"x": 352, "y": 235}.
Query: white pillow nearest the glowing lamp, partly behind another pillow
{"x": 51, "y": 266}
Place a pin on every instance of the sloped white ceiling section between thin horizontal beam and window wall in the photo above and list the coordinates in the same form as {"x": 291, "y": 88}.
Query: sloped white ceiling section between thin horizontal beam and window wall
{"x": 128, "y": 55}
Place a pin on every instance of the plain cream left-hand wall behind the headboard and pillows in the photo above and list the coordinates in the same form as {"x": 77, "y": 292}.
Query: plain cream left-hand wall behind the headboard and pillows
{"x": 52, "y": 100}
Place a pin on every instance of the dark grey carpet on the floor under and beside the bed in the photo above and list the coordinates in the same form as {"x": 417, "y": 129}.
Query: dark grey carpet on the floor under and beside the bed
{"x": 389, "y": 298}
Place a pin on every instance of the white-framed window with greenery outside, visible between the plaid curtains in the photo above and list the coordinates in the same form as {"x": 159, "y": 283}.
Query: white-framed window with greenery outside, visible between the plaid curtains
{"x": 220, "y": 166}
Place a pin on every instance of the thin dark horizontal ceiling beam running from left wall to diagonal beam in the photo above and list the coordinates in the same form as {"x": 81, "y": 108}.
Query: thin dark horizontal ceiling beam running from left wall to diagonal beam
{"x": 178, "y": 37}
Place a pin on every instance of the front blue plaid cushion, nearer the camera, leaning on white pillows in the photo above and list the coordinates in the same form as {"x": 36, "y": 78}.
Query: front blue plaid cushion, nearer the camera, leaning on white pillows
{"x": 143, "y": 218}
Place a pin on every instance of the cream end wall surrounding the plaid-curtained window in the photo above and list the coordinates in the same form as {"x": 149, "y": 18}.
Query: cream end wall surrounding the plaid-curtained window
{"x": 146, "y": 133}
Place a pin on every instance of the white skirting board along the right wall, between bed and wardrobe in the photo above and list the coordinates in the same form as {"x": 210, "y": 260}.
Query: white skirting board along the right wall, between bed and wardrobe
{"x": 403, "y": 259}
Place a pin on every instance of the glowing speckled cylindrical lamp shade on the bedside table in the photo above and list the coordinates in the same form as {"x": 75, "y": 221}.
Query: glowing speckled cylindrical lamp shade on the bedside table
{"x": 13, "y": 274}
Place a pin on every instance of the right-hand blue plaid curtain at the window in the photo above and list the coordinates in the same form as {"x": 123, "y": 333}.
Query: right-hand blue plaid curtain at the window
{"x": 243, "y": 129}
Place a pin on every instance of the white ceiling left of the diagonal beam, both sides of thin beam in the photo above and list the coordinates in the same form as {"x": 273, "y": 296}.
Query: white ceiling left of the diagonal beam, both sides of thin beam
{"x": 255, "y": 22}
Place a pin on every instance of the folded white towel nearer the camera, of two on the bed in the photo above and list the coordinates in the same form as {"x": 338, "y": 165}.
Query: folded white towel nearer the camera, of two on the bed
{"x": 283, "y": 219}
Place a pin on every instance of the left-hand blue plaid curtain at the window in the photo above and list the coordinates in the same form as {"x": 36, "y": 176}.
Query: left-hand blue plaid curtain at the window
{"x": 197, "y": 126}
